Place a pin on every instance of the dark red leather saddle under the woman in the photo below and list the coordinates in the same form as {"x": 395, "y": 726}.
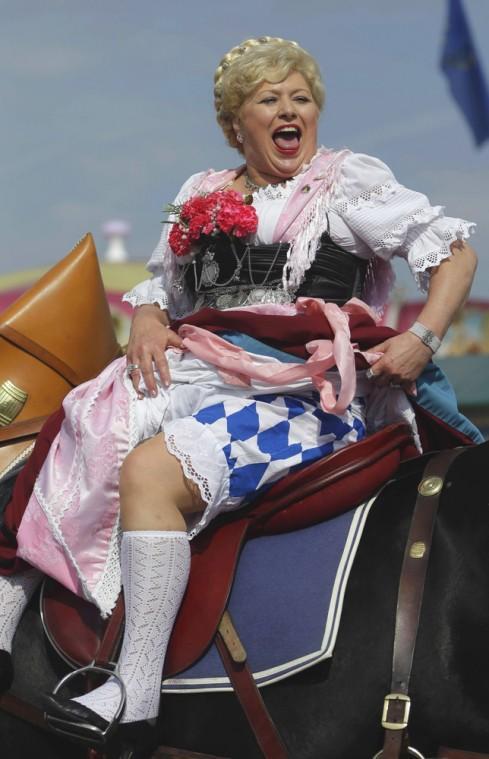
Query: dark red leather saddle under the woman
{"x": 317, "y": 492}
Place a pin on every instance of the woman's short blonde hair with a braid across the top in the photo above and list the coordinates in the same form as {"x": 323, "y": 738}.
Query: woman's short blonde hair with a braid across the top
{"x": 252, "y": 62}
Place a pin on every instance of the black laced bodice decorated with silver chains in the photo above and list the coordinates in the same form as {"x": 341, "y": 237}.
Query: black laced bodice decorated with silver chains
{"x": 225, "y": 275}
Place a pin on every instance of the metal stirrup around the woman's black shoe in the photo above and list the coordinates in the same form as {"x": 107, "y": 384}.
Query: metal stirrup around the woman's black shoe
{"x": 84, "y": 731}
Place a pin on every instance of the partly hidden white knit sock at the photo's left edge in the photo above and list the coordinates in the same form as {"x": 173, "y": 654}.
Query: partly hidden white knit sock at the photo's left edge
{"x": 15, "y": 593}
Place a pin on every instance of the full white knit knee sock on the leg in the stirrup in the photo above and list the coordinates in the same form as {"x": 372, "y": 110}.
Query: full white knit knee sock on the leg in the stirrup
{"x": 155, "y": 568}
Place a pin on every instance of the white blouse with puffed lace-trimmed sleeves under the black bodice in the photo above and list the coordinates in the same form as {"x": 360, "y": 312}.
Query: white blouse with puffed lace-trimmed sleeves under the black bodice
{"x": 369, "y": 214}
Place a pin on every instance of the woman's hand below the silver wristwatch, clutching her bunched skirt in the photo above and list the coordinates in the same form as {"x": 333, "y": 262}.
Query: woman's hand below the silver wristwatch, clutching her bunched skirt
{"x": 404, "y": 358}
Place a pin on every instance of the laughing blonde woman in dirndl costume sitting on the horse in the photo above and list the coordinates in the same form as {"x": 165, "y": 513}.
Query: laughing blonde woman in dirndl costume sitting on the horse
{"x": 327, "y": 224}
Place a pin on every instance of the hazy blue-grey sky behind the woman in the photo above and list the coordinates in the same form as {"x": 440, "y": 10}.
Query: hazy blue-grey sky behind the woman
{"x": 107, "y": 108}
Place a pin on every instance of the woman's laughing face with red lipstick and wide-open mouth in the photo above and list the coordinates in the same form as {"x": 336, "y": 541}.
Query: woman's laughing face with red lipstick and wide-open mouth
{"x": 278, "y": 124}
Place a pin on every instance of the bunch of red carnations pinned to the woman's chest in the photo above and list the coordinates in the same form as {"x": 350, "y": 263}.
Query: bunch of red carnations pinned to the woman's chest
{"x": 207, "y": 216}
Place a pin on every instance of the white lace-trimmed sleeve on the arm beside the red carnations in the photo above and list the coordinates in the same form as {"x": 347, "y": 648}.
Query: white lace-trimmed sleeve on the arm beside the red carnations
{"x": 163, "y": 266}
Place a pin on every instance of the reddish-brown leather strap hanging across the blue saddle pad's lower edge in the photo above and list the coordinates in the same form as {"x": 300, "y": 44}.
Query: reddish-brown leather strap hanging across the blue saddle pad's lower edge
{"x": 259, "y": 719}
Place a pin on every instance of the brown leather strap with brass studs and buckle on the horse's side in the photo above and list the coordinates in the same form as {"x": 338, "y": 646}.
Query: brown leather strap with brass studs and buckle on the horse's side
{"x": 410, "y": 597}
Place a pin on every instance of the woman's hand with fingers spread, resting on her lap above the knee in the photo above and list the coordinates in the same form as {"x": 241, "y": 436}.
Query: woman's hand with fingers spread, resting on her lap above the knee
{"x": 150, "y": 337}
